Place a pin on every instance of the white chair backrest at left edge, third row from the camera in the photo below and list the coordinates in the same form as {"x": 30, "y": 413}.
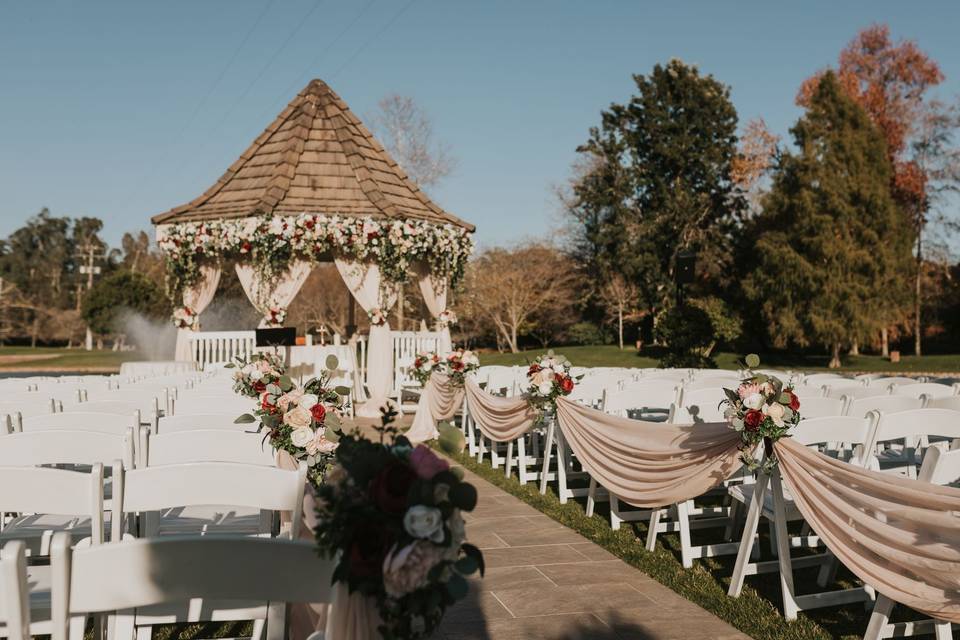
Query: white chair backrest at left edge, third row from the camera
{"x": 55, "y": 446}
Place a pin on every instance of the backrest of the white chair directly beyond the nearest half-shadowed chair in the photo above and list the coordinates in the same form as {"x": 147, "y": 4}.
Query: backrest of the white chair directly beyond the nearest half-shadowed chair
{"x": 209, "y": 484}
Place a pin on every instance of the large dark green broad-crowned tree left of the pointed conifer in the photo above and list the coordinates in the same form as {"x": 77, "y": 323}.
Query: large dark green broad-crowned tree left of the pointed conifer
{"x": 657, "y": 181}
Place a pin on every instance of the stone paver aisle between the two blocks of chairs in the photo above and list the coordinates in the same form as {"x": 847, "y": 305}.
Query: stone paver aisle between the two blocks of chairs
{"x": 547, "y": 582}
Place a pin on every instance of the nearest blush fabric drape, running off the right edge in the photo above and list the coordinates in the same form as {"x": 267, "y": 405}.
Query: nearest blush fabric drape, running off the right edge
{"x": 900, "y": 536}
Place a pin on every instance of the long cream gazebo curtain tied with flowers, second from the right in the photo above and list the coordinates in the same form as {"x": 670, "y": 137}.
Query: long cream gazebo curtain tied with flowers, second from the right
{"x": 364, "y": 281}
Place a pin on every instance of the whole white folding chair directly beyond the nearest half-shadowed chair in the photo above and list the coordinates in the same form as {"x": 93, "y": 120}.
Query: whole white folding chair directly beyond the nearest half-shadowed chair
{"x": 208, "y": 497}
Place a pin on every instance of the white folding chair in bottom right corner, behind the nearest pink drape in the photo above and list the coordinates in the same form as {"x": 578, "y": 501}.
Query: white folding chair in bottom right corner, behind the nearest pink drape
{"x": 942, "y": 468}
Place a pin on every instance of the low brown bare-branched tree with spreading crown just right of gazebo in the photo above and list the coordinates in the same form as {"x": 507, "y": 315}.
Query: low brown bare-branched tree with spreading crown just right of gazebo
{"x": 508, "y": 288}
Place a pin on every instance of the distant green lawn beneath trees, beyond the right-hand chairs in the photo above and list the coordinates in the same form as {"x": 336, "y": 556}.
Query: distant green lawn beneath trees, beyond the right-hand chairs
{"x": 611, "y": 356}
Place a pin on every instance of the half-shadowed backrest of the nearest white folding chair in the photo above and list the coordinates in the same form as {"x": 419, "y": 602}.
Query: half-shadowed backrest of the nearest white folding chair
{"x": 140, "y": 573}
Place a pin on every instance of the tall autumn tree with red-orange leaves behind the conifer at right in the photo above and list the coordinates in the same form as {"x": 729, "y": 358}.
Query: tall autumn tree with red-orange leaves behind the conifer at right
{"x": 890, "y": 81}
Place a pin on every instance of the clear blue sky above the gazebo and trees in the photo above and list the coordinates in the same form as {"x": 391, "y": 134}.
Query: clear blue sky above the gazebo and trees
{"x": 123, "y": 109}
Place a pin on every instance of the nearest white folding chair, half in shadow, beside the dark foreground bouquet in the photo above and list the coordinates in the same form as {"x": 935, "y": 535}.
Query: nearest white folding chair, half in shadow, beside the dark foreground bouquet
{"x": 162, "y": 581}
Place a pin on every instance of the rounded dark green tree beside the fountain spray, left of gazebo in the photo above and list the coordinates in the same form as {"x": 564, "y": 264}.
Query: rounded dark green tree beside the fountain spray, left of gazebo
{"x": 119, "y": 292}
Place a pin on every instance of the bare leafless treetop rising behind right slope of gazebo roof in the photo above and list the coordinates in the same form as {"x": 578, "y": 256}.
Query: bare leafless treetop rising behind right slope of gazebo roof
{"x": 407, "y": 133}
